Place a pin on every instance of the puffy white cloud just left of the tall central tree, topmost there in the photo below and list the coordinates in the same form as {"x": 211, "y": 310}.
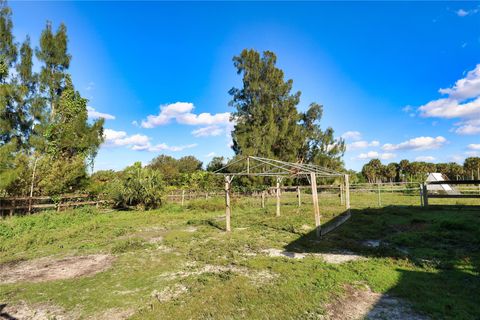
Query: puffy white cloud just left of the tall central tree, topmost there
{"x": 182, "y": 113}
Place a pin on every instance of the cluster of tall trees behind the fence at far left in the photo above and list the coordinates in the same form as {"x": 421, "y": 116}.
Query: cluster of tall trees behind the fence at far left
{"x": 46, "y": 140}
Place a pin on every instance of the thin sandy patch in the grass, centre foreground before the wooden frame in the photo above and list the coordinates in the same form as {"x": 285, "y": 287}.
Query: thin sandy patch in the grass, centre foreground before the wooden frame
{"x": 256, "y": 276}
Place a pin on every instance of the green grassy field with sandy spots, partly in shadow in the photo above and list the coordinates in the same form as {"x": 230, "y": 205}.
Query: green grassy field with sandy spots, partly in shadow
{"x": 178, "y": 263}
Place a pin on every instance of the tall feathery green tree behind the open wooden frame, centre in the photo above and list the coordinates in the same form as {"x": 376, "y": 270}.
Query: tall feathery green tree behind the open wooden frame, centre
{"x": 267, "y": 121}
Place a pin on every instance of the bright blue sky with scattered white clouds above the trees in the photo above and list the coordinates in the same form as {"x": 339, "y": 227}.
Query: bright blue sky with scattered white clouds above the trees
{"x": 397, "y": 79}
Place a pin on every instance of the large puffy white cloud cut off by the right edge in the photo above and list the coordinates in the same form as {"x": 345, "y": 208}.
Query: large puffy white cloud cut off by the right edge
{"x": 462, "y": 101}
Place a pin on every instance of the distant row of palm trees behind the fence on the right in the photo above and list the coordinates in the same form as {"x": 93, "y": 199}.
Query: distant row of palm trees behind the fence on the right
{"x": 405, "y": 171}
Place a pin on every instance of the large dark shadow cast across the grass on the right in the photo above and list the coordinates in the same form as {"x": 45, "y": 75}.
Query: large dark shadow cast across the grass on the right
{"x": 441, "y": 246}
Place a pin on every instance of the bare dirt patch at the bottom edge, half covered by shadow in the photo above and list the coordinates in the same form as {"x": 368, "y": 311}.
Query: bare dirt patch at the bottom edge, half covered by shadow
{"x": 362, "y": 303}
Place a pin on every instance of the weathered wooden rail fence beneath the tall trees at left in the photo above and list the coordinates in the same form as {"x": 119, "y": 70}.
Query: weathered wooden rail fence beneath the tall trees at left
{"x": 10, "y": 206}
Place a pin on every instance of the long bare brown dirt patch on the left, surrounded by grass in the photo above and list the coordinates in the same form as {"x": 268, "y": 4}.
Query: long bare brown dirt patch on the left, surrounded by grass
{"x": 49, "y": 269}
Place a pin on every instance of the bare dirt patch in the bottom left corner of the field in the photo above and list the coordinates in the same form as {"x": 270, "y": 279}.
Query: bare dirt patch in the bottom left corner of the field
{"x": 24, "y": 311}
